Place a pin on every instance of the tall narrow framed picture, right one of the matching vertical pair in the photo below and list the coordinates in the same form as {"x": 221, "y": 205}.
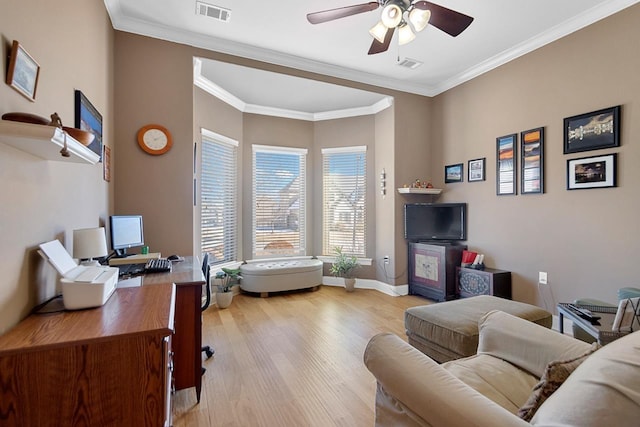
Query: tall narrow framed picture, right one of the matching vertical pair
{"x": 532, "y": 161}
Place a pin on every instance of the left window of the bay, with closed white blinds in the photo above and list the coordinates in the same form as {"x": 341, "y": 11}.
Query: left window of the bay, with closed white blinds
{"x": 218, "y": 201}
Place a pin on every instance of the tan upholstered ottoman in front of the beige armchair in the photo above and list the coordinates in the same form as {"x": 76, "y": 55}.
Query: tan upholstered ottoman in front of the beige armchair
{"x": 449, "y": 330}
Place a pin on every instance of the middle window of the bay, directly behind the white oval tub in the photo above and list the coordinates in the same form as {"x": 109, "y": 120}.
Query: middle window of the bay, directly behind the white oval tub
{"x": 279, "y": 198}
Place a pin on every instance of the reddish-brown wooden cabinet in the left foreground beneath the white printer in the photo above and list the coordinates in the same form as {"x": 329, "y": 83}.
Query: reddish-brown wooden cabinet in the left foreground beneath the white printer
{"x": 107, "y": 366}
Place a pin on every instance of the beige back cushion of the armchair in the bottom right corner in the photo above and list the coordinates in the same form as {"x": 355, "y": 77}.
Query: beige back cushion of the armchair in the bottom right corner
{"x": 603, "y": 391}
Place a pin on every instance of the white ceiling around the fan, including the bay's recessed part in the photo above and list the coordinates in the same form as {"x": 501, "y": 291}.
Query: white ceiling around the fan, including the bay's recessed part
{"x": 278, "y": 32}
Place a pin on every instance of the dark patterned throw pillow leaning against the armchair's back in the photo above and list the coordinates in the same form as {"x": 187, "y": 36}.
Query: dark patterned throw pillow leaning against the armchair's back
{"x": 554, "y": 375}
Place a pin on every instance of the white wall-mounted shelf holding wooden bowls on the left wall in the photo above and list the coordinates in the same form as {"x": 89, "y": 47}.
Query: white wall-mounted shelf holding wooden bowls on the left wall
{"x": 44, "y": 142}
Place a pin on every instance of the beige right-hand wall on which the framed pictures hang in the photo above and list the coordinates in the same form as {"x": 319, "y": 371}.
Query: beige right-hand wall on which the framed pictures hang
{"x": 584, "y": 239}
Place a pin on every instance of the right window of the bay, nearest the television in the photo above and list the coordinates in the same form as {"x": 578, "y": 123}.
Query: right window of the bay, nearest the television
{"x": 344, "y": 200}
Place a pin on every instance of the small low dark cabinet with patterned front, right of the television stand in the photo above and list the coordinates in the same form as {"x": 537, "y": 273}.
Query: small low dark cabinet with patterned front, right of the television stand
{"x": 471, "y": 282}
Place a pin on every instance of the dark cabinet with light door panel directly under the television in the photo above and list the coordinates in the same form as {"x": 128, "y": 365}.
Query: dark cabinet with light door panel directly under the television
{"x": 432, "y": 269}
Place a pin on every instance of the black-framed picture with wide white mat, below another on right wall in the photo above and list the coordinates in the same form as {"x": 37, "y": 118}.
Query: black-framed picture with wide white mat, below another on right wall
{"x": 592, "y": 172}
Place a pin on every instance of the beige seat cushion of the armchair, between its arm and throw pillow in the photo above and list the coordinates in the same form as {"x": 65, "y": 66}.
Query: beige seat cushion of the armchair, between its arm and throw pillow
{"x": 500, "y": 381}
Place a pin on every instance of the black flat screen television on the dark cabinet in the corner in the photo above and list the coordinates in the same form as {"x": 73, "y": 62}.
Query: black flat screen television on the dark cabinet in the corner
{"x": 435, "y": 221}
